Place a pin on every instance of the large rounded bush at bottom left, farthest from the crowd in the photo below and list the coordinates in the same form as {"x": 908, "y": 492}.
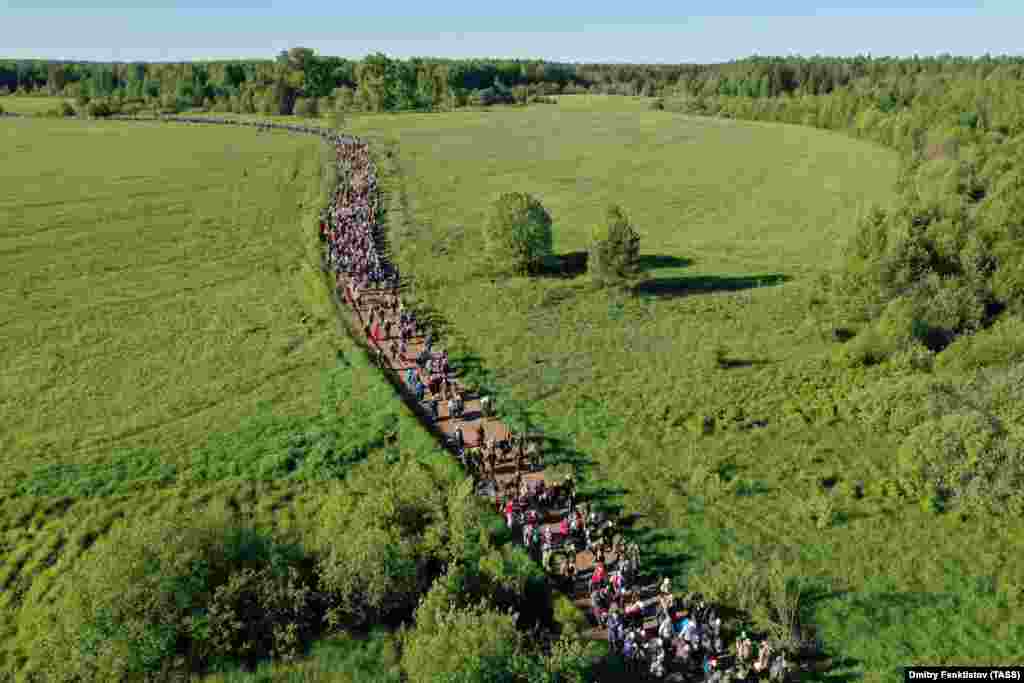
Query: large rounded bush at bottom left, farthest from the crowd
{"x": 164, "y": 593}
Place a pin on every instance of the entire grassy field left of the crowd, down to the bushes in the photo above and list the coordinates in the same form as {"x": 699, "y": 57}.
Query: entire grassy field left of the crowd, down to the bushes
{"x": 168, "y": 343}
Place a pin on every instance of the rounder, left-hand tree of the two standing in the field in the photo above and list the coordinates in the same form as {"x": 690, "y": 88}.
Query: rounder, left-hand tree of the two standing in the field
{"x": 519, "y": 234}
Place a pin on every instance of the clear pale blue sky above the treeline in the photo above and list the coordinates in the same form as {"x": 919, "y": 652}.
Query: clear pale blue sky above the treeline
{"x": 662, "y": 32}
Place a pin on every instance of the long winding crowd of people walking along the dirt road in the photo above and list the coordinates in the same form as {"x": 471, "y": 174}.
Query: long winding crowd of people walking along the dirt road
{"x": 688, "y": 634}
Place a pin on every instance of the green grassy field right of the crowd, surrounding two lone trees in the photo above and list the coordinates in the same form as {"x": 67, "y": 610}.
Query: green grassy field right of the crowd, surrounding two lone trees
{"x": 738, "y": 222}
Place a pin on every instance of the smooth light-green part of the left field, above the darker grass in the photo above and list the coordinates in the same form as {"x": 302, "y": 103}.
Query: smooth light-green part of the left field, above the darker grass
{"x": 136, "y": 254}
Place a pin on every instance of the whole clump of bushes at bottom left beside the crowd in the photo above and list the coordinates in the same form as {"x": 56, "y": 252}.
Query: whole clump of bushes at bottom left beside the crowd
{"x": 162, "y": 594}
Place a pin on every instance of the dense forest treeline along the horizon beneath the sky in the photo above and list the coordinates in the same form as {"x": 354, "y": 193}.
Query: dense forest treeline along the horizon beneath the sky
{"x": 380, "y": 83}
